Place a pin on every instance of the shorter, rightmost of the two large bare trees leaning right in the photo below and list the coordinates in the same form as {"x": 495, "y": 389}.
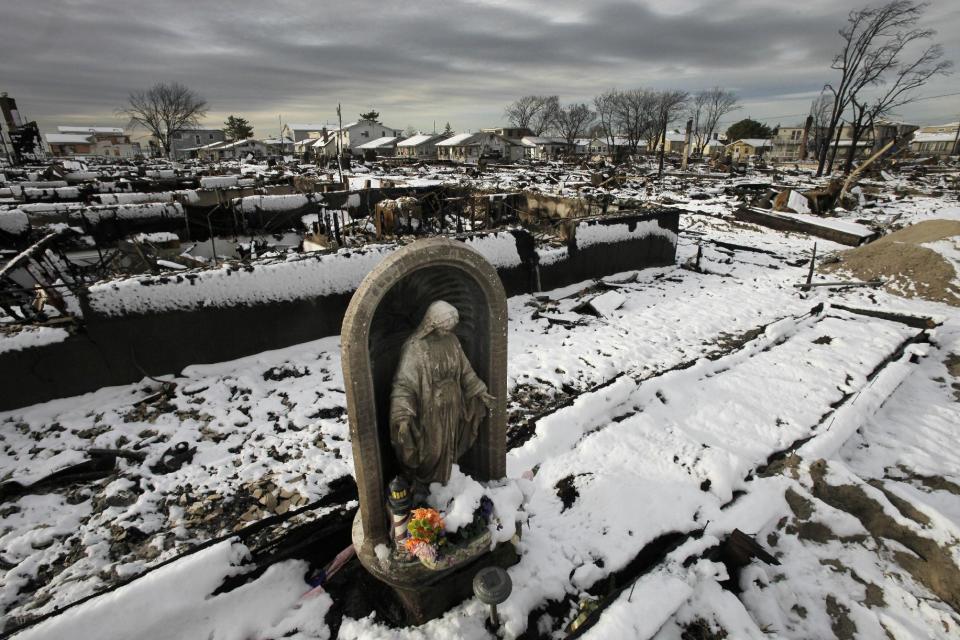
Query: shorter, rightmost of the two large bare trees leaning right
{"x": 898, "y": 92}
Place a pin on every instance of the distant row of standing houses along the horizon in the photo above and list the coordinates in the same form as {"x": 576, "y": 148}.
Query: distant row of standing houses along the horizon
{"x": 370, "y": 138}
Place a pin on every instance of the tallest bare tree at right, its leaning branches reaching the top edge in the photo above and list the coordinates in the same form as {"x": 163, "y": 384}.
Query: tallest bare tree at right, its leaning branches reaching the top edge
{"x": 865, "y": 54}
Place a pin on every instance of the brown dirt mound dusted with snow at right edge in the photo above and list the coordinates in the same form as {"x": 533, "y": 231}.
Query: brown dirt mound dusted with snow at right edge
{"x": 908, "y": 268}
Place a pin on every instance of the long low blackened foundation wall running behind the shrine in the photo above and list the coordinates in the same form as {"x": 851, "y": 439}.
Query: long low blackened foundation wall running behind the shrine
{"x": 114, "y": 350}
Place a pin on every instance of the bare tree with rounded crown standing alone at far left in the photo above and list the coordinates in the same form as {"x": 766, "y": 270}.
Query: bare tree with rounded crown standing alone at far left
{"x": 164, "y": 109}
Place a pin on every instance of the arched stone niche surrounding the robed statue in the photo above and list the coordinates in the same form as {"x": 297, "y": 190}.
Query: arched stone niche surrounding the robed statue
{"x": 383, "y": 313}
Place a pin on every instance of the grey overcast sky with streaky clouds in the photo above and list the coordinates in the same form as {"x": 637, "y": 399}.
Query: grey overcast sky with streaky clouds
{"x": 74, "y": 61}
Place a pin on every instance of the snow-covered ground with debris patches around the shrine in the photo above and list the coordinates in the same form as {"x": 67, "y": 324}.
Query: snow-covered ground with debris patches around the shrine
{"x": 685, "y": 391}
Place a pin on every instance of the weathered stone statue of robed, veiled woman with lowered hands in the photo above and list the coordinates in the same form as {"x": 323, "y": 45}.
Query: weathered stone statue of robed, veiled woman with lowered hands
{"x": 437, "y": 401}
